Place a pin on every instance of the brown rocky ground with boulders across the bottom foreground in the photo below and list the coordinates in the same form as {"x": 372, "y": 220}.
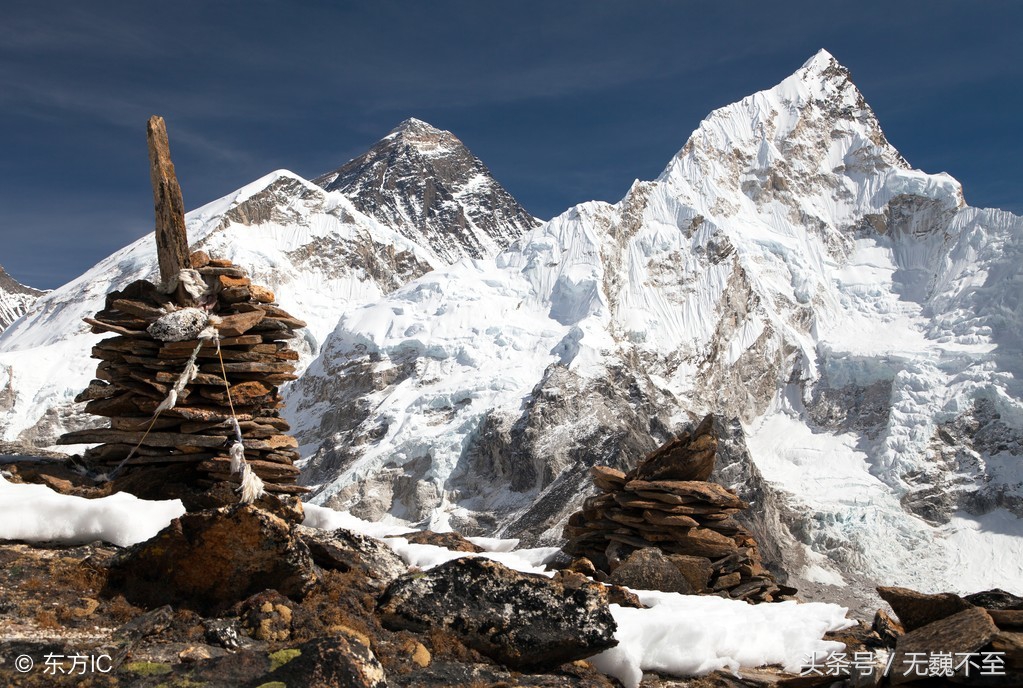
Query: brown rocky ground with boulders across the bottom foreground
{"x": 243, "y": 597}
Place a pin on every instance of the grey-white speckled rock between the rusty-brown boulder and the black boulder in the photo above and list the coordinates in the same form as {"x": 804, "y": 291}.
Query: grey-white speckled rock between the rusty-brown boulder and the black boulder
{"x": 344, "y": 551}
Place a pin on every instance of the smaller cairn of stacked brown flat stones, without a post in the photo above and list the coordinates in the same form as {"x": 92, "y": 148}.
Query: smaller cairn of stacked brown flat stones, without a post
{"x": 666, "y": 503}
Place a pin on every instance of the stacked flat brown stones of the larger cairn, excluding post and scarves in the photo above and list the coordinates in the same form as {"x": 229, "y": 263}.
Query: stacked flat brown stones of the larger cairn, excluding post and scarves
{"x": 138, "y": 372}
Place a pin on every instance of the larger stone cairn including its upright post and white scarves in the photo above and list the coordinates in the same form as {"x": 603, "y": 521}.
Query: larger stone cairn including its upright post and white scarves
{"x": 190, "y": 382}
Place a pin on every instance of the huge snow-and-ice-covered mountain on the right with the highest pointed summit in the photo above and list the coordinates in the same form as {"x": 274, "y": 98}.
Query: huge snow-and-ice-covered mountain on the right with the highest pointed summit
{"x": 790, "y": 271}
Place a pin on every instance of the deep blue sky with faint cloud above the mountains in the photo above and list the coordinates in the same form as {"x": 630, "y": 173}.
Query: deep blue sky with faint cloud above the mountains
{"x": 564, "y": 102}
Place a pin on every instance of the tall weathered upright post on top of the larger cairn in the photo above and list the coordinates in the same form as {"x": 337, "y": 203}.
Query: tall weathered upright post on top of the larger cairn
{"x": 172, "y": 241}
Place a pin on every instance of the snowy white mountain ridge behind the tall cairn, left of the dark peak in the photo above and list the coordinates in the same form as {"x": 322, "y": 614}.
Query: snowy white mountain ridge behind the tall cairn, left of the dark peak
{"x": 317, "y": 252}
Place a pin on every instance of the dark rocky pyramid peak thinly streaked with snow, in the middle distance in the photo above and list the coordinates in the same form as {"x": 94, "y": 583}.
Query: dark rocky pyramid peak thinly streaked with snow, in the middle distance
{"x": 428, "y": 186}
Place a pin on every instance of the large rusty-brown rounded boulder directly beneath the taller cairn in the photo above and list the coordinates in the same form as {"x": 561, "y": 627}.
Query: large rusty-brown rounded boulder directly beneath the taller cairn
{"x": 212, "y": 560}
